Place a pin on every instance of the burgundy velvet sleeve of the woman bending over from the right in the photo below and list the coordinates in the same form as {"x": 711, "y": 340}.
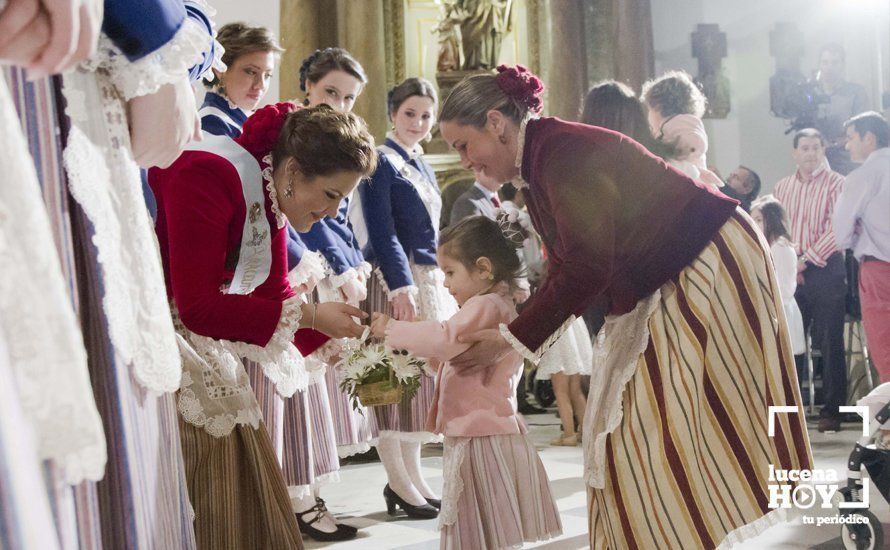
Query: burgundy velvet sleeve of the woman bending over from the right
{"x": 581, "y": 206}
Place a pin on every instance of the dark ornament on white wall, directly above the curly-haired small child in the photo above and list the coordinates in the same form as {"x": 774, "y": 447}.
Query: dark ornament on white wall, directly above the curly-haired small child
{"x": 709, "y": 47}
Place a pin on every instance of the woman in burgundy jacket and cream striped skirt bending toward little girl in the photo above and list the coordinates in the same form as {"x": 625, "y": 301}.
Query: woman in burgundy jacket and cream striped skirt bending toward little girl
{"x": 693, "y": 348}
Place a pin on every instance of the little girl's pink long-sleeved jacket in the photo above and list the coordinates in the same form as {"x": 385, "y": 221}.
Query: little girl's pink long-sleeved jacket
{"x": 476, "y": 401}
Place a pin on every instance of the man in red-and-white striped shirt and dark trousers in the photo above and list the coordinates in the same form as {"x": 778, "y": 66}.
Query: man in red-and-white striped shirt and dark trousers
{"x": 809, "y": 196}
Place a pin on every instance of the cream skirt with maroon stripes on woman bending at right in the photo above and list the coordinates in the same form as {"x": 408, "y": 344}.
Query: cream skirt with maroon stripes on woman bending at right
{"x": 677, "y": 448}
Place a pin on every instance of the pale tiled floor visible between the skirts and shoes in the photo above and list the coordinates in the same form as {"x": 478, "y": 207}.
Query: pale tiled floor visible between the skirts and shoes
{"x": 358, "y": 498}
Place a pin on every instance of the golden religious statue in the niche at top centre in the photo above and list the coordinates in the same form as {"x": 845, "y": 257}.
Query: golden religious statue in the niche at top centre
{"x": 471, "y": 33}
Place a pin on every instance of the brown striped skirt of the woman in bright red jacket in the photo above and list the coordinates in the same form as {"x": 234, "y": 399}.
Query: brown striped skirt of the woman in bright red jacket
{"x": 239, "y": 497}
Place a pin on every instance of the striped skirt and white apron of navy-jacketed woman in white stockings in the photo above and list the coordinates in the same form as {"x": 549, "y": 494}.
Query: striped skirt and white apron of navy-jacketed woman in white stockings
{"x": 407, "y": 420}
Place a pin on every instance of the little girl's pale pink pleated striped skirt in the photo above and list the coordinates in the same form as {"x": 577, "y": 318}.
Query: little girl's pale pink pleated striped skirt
{"x": 496, "y": 494}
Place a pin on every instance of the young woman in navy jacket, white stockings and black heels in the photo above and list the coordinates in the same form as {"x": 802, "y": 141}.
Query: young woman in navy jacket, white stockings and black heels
{"x": 397, "y": 223}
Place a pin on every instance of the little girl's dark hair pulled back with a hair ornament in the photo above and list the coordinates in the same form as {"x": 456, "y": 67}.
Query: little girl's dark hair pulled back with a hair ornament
{"x": 481, "y": 237}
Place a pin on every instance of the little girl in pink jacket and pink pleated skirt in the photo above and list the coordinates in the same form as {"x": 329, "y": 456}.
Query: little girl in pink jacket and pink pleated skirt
{"x": 496, "y": 492}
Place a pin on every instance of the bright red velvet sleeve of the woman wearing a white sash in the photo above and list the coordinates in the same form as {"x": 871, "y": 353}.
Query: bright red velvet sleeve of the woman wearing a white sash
{"x": 201, "y": 202}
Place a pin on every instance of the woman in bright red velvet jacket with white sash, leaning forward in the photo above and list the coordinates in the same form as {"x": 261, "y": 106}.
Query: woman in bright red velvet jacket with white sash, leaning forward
{"x": 223, "y": 207}
